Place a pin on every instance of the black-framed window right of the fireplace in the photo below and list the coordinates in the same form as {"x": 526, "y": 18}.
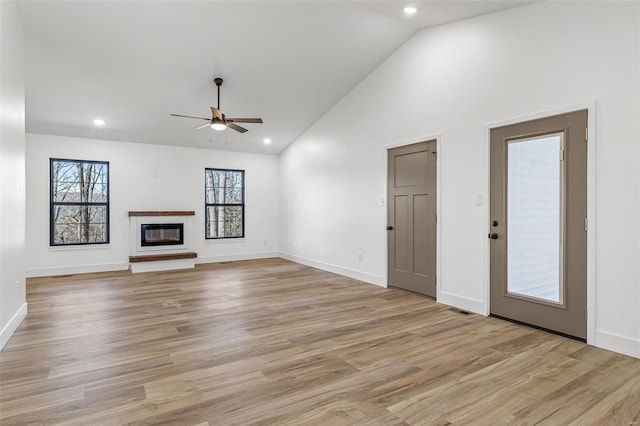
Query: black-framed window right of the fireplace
{"x": 224, "y": 203}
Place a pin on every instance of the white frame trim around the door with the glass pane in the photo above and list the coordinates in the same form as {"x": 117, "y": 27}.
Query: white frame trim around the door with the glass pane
{"x": 590, "y": 106}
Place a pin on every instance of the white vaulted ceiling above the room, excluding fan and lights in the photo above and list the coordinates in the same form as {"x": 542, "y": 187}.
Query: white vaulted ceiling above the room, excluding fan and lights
{"x": 133, "y": 63}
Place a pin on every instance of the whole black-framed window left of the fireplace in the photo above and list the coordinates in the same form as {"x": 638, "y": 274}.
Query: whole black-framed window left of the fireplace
{"x": 79, "y": 202}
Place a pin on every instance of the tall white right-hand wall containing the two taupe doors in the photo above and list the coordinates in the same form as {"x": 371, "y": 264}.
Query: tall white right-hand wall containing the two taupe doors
{"x": 454, "y": 80}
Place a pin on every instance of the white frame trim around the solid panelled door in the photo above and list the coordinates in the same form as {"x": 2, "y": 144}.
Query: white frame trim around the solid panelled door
{"x": 385, "y": 240}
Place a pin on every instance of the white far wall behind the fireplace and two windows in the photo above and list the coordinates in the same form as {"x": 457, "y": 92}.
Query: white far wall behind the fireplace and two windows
{"x": 148, "y": 177}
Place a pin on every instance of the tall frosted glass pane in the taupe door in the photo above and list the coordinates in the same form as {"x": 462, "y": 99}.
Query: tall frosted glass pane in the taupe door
{"x": 535, "y": 196}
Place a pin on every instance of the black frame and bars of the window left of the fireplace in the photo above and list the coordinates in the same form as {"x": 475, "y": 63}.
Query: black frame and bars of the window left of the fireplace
{"x": 53, "y": 204}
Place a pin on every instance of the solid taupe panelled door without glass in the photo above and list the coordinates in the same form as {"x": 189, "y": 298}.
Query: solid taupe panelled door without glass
{"x": 412, "y": 217}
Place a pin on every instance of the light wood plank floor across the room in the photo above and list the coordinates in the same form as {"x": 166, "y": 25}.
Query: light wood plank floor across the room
{"x": 274, "y": 342}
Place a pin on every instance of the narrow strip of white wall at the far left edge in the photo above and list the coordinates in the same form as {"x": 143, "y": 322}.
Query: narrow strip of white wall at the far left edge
{"x": 13, "y": 307}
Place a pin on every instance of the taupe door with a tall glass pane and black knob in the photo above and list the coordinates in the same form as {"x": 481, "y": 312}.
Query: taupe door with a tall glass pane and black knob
{"x": 538, "y": 227}
